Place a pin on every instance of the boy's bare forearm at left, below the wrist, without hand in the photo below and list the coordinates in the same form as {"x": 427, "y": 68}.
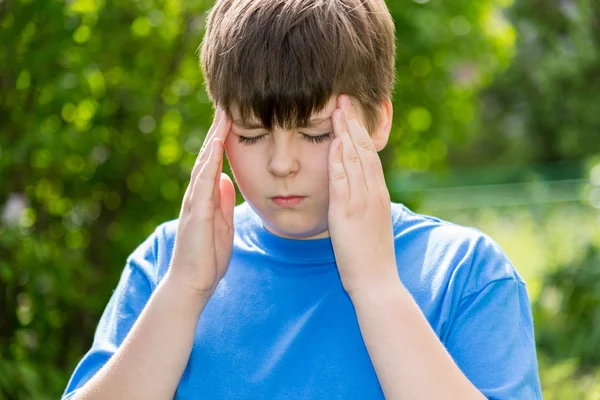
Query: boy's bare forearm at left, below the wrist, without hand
{"x": 153, "y": 356}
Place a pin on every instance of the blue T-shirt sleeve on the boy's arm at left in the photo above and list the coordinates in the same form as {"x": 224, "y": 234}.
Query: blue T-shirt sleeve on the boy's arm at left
{"x": 136, "y": 284}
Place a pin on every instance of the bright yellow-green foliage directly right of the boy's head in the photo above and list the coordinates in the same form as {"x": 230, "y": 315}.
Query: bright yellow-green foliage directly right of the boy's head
{"x": 447, "y": 52}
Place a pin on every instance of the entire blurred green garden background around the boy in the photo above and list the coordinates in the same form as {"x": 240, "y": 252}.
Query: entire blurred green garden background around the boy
{"x": 102, "y": 111}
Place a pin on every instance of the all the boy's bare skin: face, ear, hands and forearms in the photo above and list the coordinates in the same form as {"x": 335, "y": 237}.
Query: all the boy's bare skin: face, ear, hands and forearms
{"x": 409, "y": 360}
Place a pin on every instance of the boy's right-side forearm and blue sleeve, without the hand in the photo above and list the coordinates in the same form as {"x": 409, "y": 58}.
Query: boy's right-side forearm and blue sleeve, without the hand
{"x": 490, "y": 338}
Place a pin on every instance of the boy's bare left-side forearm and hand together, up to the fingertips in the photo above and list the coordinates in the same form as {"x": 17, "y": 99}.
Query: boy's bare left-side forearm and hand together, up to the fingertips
{"x": 150, "y": 362}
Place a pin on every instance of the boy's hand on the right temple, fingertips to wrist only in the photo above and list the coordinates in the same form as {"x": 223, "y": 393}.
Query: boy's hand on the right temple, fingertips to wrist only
{"x": 360, "y": 223}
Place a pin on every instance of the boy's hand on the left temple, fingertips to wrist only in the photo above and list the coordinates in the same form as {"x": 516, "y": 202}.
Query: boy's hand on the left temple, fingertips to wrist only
{"x": 204, "y": 238}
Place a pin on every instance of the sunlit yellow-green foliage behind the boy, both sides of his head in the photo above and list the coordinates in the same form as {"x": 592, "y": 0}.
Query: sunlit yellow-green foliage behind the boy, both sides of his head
{"x": 102, "y": 111}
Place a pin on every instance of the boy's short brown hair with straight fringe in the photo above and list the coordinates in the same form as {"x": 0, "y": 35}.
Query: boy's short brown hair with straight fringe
{"x": 282, "y": 60}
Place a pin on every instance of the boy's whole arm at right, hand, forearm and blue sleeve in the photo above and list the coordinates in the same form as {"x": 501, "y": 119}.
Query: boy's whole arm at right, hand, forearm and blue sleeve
{"x": 410, "y": 361}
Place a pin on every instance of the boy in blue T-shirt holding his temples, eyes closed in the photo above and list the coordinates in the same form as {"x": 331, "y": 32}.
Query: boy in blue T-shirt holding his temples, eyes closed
{"x": 317, "y": 287}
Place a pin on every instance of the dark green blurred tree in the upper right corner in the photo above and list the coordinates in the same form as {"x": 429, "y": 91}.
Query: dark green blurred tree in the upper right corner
{"x": 545, "y": 107}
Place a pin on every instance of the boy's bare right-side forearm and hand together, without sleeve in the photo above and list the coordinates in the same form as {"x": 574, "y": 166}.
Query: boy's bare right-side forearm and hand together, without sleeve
{"x": 410, "y": 361}
